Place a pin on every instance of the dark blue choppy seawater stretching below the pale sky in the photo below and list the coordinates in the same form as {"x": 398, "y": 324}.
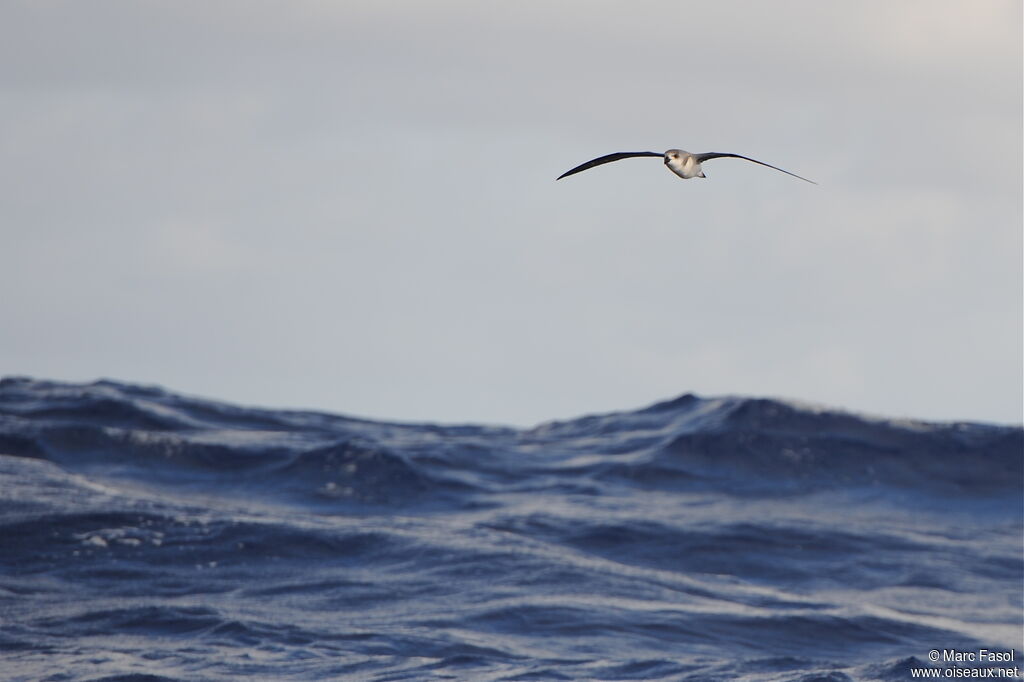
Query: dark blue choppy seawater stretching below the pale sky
{"x": 148, "y": 536}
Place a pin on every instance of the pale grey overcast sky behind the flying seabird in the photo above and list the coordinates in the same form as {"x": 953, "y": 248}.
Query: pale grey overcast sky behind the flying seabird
{"x": 352, "y": 206}
